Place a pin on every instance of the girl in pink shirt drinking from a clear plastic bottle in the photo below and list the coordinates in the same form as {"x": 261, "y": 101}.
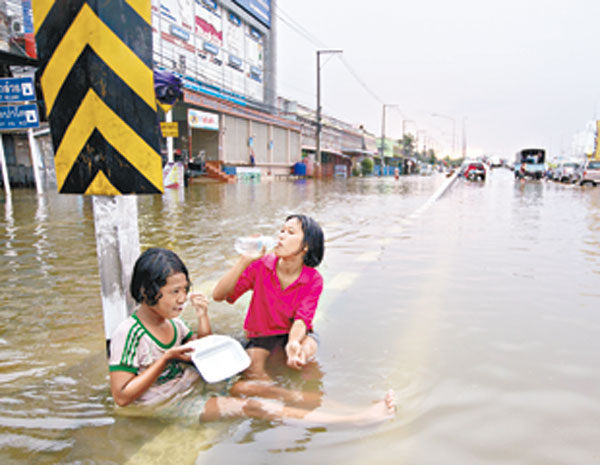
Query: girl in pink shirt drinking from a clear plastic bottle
{"x": 286, "y": 289}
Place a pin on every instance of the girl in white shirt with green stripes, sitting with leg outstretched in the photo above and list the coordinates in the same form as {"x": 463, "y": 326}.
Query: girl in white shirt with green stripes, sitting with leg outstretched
{"x": 150, "y": 363}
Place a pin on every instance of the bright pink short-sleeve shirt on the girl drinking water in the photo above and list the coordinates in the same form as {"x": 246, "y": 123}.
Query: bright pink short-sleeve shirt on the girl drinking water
{"x": 272, "y": 309}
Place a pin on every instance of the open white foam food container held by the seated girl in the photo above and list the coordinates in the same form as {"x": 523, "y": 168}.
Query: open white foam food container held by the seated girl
{"x": 218, "y": 357}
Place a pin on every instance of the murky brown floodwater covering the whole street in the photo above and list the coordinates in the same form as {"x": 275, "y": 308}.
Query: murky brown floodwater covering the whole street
{"x": 480, "y": 309}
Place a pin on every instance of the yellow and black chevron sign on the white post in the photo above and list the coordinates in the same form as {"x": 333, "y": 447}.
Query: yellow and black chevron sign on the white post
{"x": 98, "y": 86}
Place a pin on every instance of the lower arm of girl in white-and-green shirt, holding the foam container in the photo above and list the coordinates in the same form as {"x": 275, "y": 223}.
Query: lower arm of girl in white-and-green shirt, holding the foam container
{"x": 127, "y": 387}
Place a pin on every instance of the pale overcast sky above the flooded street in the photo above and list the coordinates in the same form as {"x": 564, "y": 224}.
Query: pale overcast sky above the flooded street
{"x": 500, "y": 75}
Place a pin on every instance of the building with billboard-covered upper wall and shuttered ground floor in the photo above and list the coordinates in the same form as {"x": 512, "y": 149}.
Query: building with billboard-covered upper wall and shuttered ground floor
{"x": 224, "y": 52}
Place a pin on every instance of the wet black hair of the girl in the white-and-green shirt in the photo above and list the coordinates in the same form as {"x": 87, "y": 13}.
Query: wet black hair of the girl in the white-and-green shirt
{"x": 150, "y": 273}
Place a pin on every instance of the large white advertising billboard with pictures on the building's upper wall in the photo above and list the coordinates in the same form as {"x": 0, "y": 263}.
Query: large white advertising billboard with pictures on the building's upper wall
{"x": 204, "y": 40}
